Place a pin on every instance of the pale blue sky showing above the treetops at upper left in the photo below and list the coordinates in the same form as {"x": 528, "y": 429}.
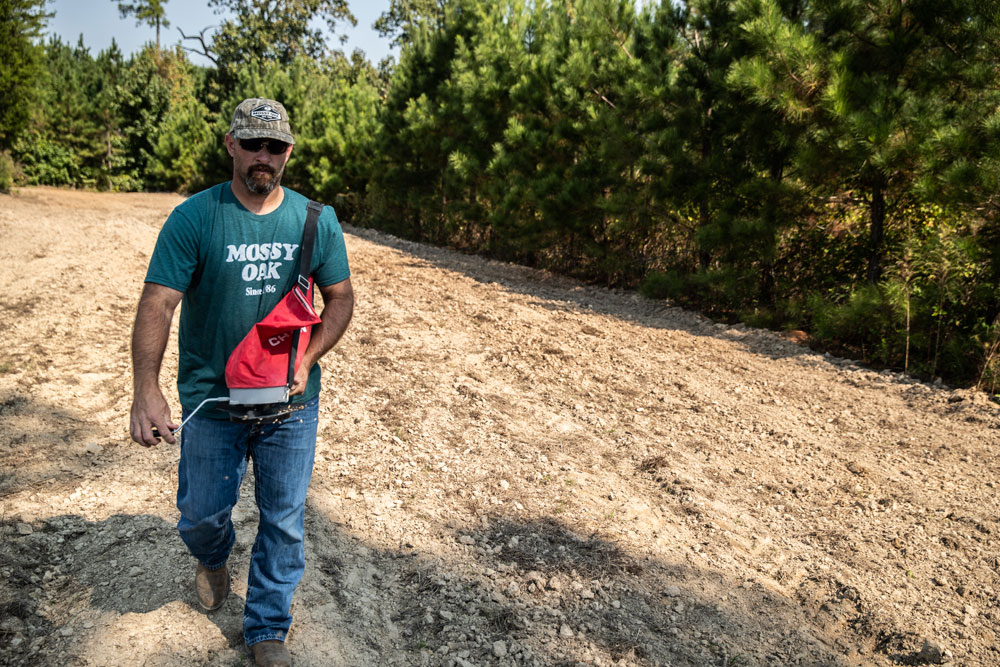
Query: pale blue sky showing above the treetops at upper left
{"x": 99, "y": 21}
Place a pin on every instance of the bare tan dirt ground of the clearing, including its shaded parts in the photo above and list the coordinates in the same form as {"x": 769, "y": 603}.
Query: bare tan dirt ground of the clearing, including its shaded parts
{"x": 512, "y": 469}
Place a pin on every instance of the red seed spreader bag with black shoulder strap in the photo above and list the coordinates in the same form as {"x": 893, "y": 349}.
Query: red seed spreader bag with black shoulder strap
{"x": 261, "y": 368}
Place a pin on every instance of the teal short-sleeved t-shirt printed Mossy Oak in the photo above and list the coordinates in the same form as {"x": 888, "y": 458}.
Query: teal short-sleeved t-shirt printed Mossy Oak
{"x": 233, "y": 267}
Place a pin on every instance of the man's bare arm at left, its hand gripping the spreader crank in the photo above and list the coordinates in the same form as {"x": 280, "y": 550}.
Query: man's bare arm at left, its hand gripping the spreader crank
{"x": 149, "y": 341}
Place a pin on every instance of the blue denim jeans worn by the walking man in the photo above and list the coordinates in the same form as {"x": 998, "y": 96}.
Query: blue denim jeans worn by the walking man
{"x": 214, "y": 457}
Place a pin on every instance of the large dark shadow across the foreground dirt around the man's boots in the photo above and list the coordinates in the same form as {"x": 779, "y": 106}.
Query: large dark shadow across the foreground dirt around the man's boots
{"x": 549, "y": 596}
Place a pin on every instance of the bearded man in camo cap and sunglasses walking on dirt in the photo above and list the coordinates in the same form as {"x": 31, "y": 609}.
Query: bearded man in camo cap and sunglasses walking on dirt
{"x": 231, "y": 253}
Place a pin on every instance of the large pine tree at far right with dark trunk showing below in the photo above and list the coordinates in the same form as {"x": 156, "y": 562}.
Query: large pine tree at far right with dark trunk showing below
{"x": 877, "y": 83}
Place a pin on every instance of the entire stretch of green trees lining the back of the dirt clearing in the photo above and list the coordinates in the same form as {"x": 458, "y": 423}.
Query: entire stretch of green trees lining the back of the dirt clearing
{"x": 829, "y": 166}
